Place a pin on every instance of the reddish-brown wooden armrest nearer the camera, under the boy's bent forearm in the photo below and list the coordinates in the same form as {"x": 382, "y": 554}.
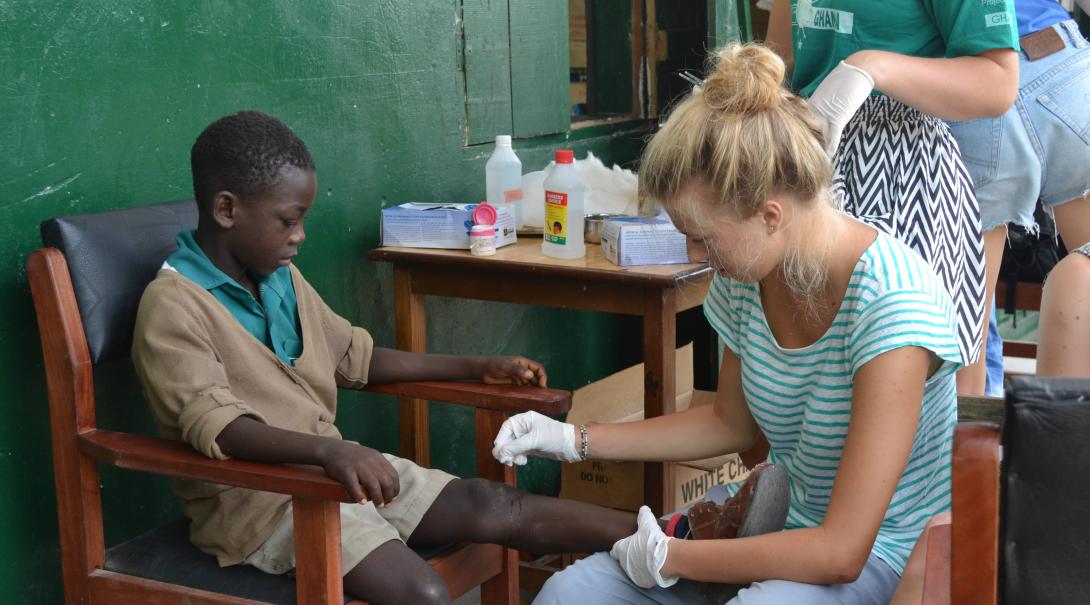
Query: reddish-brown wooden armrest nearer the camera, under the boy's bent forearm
{"x": 178, "y": 459}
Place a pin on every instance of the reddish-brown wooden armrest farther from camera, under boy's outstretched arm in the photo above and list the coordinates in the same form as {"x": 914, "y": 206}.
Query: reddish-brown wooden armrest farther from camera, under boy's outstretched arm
{"x": 502, "y": 398}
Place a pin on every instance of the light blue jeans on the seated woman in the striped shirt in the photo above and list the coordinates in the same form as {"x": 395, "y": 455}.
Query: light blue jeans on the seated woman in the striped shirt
{"x": 599, "y": 580}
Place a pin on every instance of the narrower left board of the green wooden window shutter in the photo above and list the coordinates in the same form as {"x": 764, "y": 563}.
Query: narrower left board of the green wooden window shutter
{"x": 487, "y": 56}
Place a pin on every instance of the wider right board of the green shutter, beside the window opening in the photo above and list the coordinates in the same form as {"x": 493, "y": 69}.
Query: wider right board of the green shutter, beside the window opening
{"x": 540, "y": 88}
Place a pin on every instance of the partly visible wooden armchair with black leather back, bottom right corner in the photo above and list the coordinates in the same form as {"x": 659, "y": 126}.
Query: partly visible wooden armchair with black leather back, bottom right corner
{"x": 1021, "y": 530}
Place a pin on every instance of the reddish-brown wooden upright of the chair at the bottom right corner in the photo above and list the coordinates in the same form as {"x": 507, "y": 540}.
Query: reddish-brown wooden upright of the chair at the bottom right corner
{"x": 976, "y": 514}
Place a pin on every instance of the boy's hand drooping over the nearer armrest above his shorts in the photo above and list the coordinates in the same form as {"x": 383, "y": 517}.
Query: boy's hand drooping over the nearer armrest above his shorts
{"x": 366, "y": 474}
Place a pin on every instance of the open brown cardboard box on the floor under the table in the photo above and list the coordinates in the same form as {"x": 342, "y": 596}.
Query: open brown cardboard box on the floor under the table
{"x": 620, "y": 398}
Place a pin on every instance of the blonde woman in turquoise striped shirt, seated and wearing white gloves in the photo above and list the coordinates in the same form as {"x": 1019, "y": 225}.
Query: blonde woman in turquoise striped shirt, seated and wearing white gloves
{"x": 841, "y": 347}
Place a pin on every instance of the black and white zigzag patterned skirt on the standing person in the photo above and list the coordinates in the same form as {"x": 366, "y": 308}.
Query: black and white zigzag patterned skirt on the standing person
{"x": 901, "y": 172}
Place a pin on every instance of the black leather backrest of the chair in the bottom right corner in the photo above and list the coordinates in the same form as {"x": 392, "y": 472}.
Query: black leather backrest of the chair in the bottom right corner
{"x": 1046, "y": 511}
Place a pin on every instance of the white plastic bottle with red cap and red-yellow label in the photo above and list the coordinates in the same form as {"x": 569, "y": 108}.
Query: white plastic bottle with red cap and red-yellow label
{"x": 564, "y": 210}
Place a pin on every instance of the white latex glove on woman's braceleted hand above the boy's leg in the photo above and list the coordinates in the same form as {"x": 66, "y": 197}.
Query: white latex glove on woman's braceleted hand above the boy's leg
{"x": 536, "y": 434}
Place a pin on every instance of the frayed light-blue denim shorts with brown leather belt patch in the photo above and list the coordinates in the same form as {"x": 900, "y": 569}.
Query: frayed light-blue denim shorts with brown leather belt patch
{"x": 1040, "y": 149}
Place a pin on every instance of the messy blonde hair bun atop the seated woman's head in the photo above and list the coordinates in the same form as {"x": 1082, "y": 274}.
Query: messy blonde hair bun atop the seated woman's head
{"x": 746, "y": 79}
